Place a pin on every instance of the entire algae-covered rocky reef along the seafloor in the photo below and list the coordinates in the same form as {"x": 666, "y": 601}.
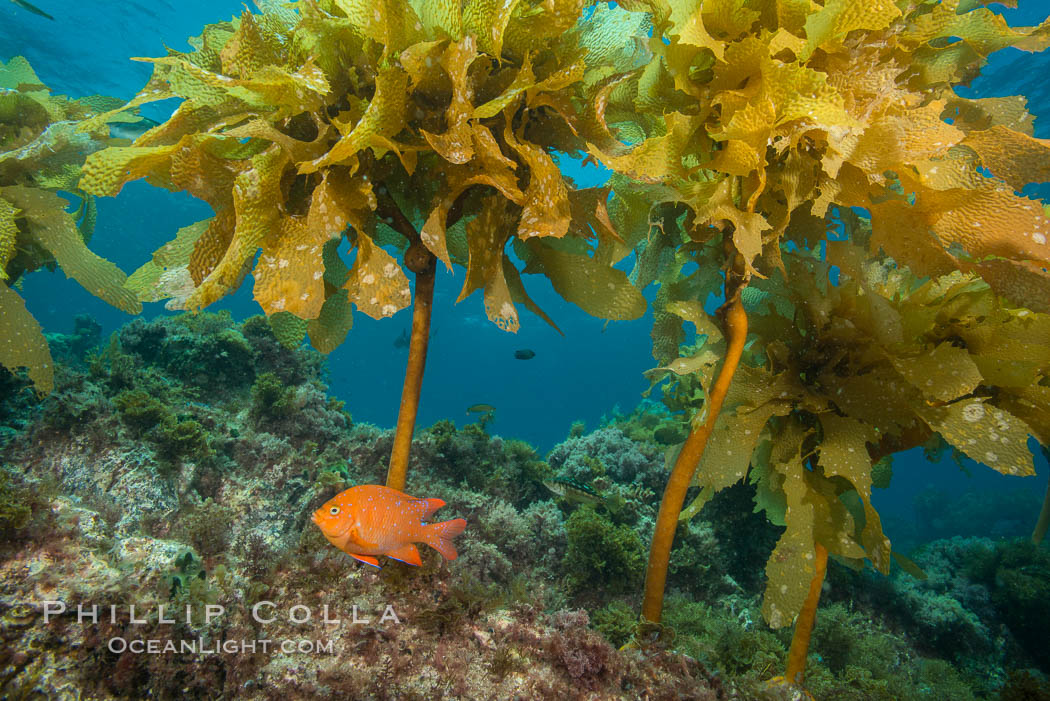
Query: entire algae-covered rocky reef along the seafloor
{"x": 175, "y": 470}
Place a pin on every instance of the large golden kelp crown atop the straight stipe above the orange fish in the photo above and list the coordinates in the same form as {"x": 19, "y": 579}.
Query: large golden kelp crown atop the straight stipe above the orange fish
{"x": 375, "y": 121}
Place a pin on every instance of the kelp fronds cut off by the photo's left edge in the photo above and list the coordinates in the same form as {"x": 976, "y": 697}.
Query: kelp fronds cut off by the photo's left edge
{"x": 41, "y": 153}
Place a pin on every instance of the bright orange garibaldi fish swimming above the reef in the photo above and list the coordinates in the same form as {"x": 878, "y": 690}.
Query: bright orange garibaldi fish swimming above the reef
{"x": 372, "y": 520}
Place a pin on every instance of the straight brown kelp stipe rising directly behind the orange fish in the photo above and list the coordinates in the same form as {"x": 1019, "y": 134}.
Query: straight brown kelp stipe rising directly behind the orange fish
{"x": 422, "y": 308}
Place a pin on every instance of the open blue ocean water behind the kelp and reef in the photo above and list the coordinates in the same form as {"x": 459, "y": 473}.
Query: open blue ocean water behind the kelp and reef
{"x": 581, "y": 376}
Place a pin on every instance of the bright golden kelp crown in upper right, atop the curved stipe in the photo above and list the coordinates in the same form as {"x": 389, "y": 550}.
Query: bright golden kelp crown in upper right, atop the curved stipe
{"x": 782, "y": 110}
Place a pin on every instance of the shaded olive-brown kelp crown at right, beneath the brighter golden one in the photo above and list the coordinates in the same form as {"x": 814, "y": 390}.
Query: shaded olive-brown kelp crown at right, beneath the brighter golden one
{"x": 834, "y": 348}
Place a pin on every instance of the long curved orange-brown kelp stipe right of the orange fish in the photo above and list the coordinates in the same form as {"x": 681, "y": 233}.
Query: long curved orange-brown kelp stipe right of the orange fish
{"x": 689, "y": 459}
